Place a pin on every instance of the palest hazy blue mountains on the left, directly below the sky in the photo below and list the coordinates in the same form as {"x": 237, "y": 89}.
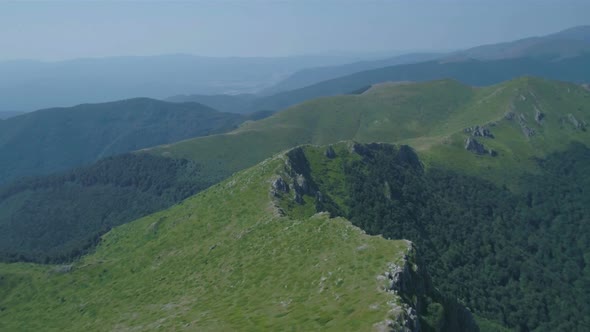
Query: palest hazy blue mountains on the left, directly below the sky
{"x": 27, "y": 85}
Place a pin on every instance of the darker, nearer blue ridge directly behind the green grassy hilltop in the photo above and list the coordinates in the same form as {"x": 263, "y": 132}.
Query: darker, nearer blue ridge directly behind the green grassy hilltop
{"x": 473, "y": 72}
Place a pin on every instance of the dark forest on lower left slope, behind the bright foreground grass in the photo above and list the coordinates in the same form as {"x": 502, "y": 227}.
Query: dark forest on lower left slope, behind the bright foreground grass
{"x": 54, "y": 219}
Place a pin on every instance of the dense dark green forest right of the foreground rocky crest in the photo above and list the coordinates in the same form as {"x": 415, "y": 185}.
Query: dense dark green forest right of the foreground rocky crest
{"x": 519, "y": 259}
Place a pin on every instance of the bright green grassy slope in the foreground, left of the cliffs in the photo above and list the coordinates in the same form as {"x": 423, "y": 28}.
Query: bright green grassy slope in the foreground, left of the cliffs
{"x": 196, "y": 265}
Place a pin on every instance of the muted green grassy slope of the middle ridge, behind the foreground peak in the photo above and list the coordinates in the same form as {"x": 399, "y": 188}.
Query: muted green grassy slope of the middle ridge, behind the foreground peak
{"x": 428, "y": 116}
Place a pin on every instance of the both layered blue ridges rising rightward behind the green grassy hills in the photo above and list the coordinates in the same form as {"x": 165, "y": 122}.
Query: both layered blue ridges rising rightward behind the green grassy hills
{"x": 561, "y": 56}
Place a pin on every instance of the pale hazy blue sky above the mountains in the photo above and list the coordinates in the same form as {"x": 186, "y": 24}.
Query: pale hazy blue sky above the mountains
{"x": 52, "y": 30}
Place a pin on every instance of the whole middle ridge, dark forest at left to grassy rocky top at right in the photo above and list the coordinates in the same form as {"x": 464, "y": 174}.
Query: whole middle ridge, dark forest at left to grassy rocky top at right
{"x": 528, "y": 118}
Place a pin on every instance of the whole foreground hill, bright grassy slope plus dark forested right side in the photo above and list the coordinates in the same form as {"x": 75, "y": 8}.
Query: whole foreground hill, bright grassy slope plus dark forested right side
{"x": 277, "y": 237}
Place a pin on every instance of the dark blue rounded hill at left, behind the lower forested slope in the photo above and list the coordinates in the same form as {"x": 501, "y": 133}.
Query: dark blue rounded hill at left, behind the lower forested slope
{"x": 60, "y": 138}
